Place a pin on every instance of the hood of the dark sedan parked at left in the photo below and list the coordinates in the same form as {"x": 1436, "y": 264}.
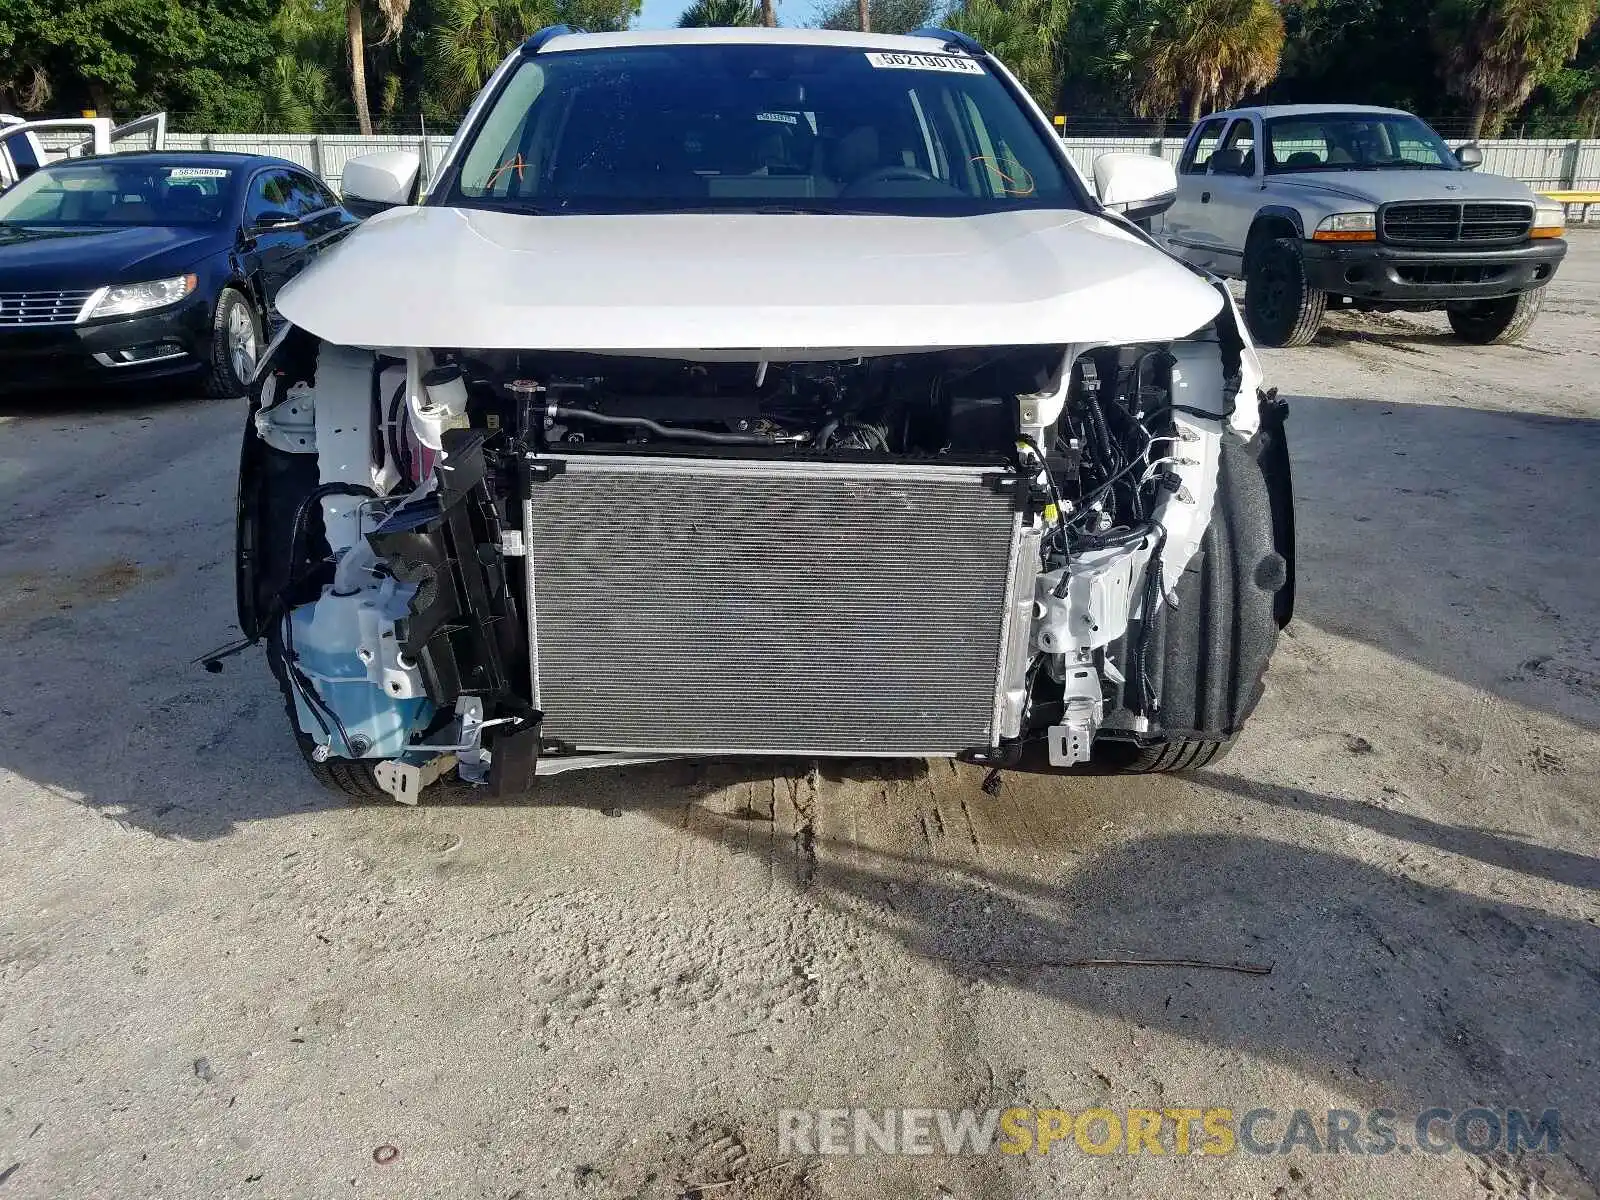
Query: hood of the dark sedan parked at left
{"x": 44, "y": 258}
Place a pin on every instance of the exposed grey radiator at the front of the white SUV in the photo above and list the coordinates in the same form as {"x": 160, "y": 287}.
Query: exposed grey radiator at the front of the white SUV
{"x": 746, "y": 607}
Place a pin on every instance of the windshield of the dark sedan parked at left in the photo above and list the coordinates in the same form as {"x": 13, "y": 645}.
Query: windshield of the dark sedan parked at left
{"x": 110, "y": 193}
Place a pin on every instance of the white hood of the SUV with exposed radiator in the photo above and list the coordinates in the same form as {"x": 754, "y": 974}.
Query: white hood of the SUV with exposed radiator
{"x": 772, "y": 284}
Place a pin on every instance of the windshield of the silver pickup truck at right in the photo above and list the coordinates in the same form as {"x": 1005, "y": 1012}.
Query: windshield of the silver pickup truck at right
{"x": 1356, "y": 142}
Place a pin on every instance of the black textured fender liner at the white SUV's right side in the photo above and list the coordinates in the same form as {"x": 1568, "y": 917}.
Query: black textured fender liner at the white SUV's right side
{"x": 1207, "y": 655}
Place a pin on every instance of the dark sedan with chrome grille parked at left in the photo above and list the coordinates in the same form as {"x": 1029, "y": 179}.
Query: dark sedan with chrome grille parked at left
{"x": 143, "y": 266}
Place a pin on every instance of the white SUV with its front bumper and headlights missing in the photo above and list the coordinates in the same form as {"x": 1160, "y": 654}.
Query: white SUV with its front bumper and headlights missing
{"x": 759, "y": 393}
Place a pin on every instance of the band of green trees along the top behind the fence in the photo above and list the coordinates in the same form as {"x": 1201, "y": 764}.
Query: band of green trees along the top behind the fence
{"x": 287, "y": 65}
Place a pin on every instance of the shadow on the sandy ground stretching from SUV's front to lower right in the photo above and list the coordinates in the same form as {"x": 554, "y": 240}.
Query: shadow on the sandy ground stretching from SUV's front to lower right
{"x": 1386, "y": 985}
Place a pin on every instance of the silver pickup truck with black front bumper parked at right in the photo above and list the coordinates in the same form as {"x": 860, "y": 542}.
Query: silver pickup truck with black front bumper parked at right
{"x": 1359, "y": 207}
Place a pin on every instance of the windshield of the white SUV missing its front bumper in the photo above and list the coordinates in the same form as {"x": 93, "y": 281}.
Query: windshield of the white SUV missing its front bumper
{"x": 758, "y": 127}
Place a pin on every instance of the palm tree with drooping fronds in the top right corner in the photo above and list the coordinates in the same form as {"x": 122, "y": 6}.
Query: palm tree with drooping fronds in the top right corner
{"x": 1495, "y": 52}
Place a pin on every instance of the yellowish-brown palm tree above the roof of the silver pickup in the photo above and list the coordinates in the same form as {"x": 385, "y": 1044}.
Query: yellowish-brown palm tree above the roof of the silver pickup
{"x": 1209, "y": 54}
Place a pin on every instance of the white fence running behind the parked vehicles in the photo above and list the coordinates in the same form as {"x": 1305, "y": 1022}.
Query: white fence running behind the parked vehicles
{"x": 1545, "y": 164}
